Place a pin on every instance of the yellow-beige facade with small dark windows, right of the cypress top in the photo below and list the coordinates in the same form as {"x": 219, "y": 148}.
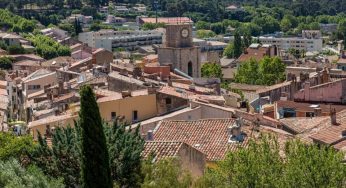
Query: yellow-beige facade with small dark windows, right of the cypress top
{"x": 134, "y": 109}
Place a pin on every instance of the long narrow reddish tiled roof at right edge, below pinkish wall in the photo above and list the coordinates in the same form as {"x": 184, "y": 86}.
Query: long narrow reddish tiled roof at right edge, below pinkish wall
{"x": 306, "y": 107}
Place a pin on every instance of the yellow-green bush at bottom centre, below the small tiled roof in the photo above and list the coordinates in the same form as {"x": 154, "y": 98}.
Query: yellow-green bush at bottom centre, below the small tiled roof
{"x": 166, "y": 173}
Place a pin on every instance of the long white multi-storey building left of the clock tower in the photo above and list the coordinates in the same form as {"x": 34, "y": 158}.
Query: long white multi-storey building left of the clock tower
{"x": 129, "y": 40}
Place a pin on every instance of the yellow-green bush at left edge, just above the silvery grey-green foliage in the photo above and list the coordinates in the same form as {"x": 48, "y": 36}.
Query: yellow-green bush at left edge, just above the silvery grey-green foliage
{"x": 15, "y": 147}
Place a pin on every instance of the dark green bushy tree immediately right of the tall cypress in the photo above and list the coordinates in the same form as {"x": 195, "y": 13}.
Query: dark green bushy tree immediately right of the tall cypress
{"x": 125, "y": 148}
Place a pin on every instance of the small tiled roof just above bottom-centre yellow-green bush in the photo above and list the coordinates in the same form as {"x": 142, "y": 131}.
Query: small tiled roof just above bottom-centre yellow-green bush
{"x": 161, "y": 149}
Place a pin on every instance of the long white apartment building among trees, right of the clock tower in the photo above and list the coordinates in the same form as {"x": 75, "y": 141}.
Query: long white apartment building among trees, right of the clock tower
{"x": 310, "y": 41}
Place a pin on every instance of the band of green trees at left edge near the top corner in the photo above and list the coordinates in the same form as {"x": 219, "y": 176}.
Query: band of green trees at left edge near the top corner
{"x": 15, "y": 23}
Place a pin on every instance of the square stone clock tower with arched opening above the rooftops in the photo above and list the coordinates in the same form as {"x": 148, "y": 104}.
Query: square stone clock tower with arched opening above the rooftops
{"x": 178, "y": 51}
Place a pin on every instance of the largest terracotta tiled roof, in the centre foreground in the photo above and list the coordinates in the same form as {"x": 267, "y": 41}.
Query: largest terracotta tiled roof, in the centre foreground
{"x": 209, "y": 136}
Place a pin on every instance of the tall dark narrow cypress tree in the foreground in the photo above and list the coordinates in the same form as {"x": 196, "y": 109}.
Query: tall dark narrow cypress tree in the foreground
{"x": 95, "y": 159}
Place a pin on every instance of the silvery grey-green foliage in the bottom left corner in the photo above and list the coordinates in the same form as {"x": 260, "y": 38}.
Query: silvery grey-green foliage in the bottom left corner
{"x": 12, "y": 175}
